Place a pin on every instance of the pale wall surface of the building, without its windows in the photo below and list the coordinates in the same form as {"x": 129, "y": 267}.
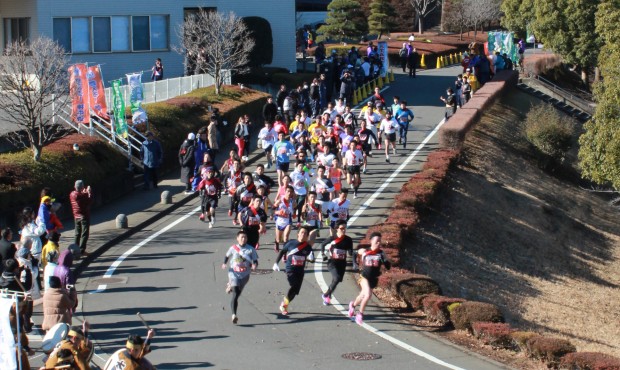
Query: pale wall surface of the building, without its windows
{"x": 280, "y": 13}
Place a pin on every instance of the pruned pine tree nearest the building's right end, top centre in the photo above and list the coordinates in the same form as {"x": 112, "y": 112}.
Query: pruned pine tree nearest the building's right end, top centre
{"x": 345, "y": 20}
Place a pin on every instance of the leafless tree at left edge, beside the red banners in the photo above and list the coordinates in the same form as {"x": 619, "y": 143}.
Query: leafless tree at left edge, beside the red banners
{"x": 33, "y": 88}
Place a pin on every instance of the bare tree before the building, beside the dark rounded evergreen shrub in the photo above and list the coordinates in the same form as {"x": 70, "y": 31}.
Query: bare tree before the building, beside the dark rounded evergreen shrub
{"x": 216, "y": 42}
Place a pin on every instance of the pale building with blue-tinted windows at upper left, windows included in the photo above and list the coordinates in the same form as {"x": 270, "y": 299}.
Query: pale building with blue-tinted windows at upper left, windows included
{"x": 127, "y": 35}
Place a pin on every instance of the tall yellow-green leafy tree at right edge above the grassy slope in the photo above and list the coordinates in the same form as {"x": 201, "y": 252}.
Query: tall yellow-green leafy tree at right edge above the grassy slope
{"x": 599, "y": 150}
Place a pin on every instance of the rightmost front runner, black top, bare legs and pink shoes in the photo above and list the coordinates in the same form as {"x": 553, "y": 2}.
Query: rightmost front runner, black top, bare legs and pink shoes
{"x": 371, "y": 261}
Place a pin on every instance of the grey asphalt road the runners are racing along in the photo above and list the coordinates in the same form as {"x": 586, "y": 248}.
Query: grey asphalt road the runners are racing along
{"x": 170, "y": 272}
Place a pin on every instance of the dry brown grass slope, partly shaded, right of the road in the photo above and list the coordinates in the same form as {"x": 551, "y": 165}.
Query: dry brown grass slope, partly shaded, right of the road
{"x": 506, "y": 232}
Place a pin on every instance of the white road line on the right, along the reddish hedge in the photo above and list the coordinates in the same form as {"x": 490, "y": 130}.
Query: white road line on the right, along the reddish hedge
{"x": 318, "y": 266}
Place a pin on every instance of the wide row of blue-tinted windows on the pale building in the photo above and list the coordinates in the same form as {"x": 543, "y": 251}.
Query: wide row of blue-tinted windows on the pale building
{"x": 112, "y": 34}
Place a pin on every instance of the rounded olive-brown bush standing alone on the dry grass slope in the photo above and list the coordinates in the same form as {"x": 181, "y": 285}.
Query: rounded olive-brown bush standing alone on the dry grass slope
{"x": 549, "y": 131}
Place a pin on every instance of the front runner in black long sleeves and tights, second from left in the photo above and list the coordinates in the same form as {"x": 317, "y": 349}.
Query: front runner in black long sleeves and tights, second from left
{"x": 296, "y": 254}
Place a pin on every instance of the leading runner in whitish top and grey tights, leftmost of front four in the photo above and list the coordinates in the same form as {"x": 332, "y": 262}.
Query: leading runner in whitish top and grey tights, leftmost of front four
{"x": 242, "y": 258}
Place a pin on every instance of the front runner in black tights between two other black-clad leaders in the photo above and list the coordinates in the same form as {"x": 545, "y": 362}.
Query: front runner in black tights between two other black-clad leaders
{"x": 337, "y": 249}
